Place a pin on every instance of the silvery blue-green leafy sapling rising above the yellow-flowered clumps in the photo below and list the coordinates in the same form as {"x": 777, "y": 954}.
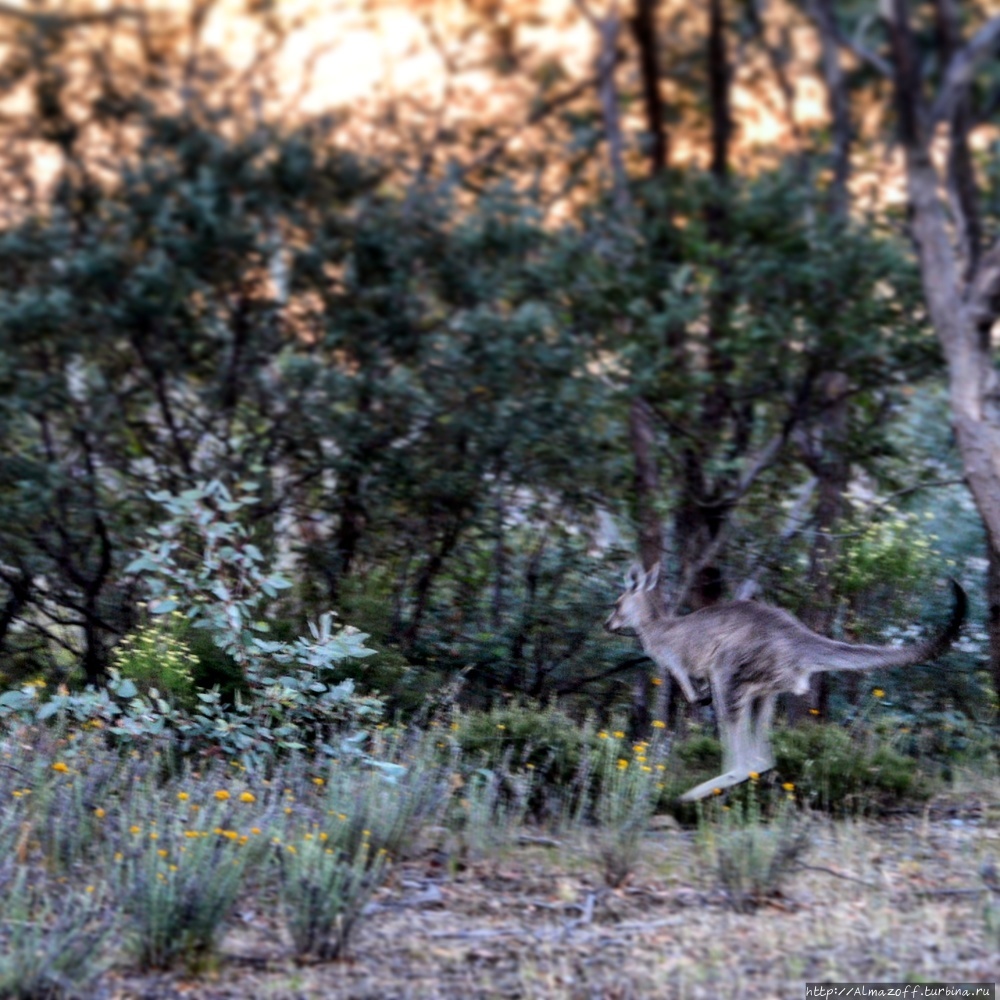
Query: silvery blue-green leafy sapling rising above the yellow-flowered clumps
{"x": 202, "y": 564}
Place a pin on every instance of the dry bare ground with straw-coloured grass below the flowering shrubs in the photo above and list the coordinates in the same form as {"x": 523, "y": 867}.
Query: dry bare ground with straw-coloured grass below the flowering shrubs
{"x": 892, "y": 900}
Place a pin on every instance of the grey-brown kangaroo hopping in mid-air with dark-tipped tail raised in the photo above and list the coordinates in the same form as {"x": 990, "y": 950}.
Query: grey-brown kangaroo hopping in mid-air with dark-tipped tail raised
{"x": 750, "y": 653}
